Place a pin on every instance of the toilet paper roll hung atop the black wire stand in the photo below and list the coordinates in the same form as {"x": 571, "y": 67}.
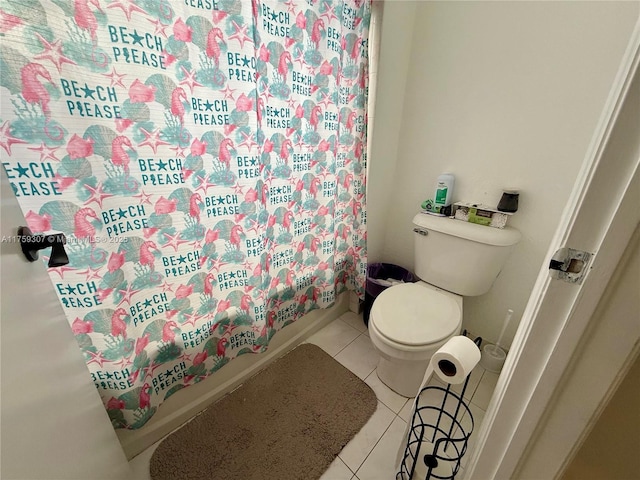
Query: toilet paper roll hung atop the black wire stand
{"x": 455, "y": 359}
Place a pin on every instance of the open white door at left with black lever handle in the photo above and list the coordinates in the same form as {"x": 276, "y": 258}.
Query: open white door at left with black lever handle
{"x": 54, "y": 425}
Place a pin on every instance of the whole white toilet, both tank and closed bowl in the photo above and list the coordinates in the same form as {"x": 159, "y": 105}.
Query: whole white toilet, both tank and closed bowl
{"x": 409, "y": 322}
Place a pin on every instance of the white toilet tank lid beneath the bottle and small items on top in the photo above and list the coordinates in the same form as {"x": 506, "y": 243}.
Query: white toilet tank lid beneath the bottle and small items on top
{"x": 502, "y": 237}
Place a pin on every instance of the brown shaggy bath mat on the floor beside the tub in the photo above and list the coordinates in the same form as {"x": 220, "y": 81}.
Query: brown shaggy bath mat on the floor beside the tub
{"x": 288, "y": 422}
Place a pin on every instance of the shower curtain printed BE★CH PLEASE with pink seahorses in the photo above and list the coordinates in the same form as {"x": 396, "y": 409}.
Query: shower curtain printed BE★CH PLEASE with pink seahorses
{"x": 205, "y": 160}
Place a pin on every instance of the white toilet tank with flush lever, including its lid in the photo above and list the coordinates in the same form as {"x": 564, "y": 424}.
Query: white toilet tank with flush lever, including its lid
{"x": 460, "y": 257}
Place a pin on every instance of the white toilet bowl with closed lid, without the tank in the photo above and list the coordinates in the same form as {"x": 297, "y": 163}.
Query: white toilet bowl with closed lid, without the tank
{"x": 407, "y": 325}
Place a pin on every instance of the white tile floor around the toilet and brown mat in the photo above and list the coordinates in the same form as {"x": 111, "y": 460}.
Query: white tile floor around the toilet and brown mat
{"x": 371, "y": 454}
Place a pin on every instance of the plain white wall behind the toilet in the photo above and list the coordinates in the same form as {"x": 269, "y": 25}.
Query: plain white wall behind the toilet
{"x": 502, "y": 94}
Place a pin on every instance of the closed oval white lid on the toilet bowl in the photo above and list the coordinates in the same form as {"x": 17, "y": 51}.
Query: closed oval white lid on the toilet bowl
{"x": 413, "y": 314}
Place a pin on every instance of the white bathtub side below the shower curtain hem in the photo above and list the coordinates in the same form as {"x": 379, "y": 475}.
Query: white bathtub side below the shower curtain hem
{"x": 185, "y": 404}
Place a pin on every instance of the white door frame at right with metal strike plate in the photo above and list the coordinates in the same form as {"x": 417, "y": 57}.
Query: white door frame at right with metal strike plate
{"x": 600, "y": 218}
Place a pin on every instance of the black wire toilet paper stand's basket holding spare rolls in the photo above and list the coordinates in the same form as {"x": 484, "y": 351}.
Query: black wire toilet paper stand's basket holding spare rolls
{"x": 437, "y": 439}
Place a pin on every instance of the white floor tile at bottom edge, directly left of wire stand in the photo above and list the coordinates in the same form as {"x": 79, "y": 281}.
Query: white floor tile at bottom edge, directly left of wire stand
{"x": 381, "y": 462}
